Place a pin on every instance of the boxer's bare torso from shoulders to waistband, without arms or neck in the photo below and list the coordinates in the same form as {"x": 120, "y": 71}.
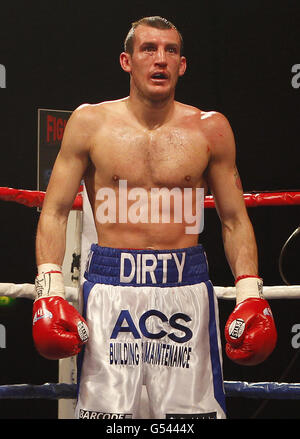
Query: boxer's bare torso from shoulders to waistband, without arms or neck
{"x": 174, "y": 155}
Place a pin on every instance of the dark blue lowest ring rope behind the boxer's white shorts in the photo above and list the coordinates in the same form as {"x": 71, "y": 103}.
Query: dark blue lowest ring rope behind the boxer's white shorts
{"x": 262, "y": 390}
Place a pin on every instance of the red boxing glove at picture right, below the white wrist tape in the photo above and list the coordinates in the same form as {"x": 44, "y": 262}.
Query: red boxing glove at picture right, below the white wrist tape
{"x": 250, "y": 332}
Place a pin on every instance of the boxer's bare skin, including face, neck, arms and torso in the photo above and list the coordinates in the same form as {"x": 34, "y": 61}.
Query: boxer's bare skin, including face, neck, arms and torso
{"x": 151, "y": 141}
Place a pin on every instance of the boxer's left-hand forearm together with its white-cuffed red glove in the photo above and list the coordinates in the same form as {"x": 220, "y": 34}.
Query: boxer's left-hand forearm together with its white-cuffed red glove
{"x": 59, "y": 331}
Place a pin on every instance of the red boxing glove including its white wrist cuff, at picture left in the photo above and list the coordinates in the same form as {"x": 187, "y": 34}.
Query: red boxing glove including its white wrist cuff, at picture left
{"x": 59, "y": 331}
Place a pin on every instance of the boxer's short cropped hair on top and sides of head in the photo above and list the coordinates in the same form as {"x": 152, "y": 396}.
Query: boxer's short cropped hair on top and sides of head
{"x": 155, "y": 21}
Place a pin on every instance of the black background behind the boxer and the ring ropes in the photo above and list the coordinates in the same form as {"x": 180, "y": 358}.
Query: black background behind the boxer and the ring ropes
{"x": 59, "y": 55}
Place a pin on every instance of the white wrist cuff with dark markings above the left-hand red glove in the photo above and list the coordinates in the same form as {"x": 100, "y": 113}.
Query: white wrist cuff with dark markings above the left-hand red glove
{"x": 49, "y": 281}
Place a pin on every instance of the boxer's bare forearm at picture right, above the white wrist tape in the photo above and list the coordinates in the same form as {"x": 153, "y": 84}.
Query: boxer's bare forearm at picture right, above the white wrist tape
{"x": 240, "y": 247}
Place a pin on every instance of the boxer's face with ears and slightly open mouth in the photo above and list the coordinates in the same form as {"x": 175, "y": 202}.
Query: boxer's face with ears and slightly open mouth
{"x": 155, "y": 64}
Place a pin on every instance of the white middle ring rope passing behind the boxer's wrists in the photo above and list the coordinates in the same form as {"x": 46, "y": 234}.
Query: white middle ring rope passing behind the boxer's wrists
{"x": 27, "y": 291}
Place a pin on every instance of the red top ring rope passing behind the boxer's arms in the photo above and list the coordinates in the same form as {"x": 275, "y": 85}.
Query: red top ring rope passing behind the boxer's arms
{"x": 36, "y": 198}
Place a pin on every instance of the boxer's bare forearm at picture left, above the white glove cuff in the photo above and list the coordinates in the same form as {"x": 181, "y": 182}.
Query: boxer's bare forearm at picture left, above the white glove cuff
{"x": 51, "y": 239}
